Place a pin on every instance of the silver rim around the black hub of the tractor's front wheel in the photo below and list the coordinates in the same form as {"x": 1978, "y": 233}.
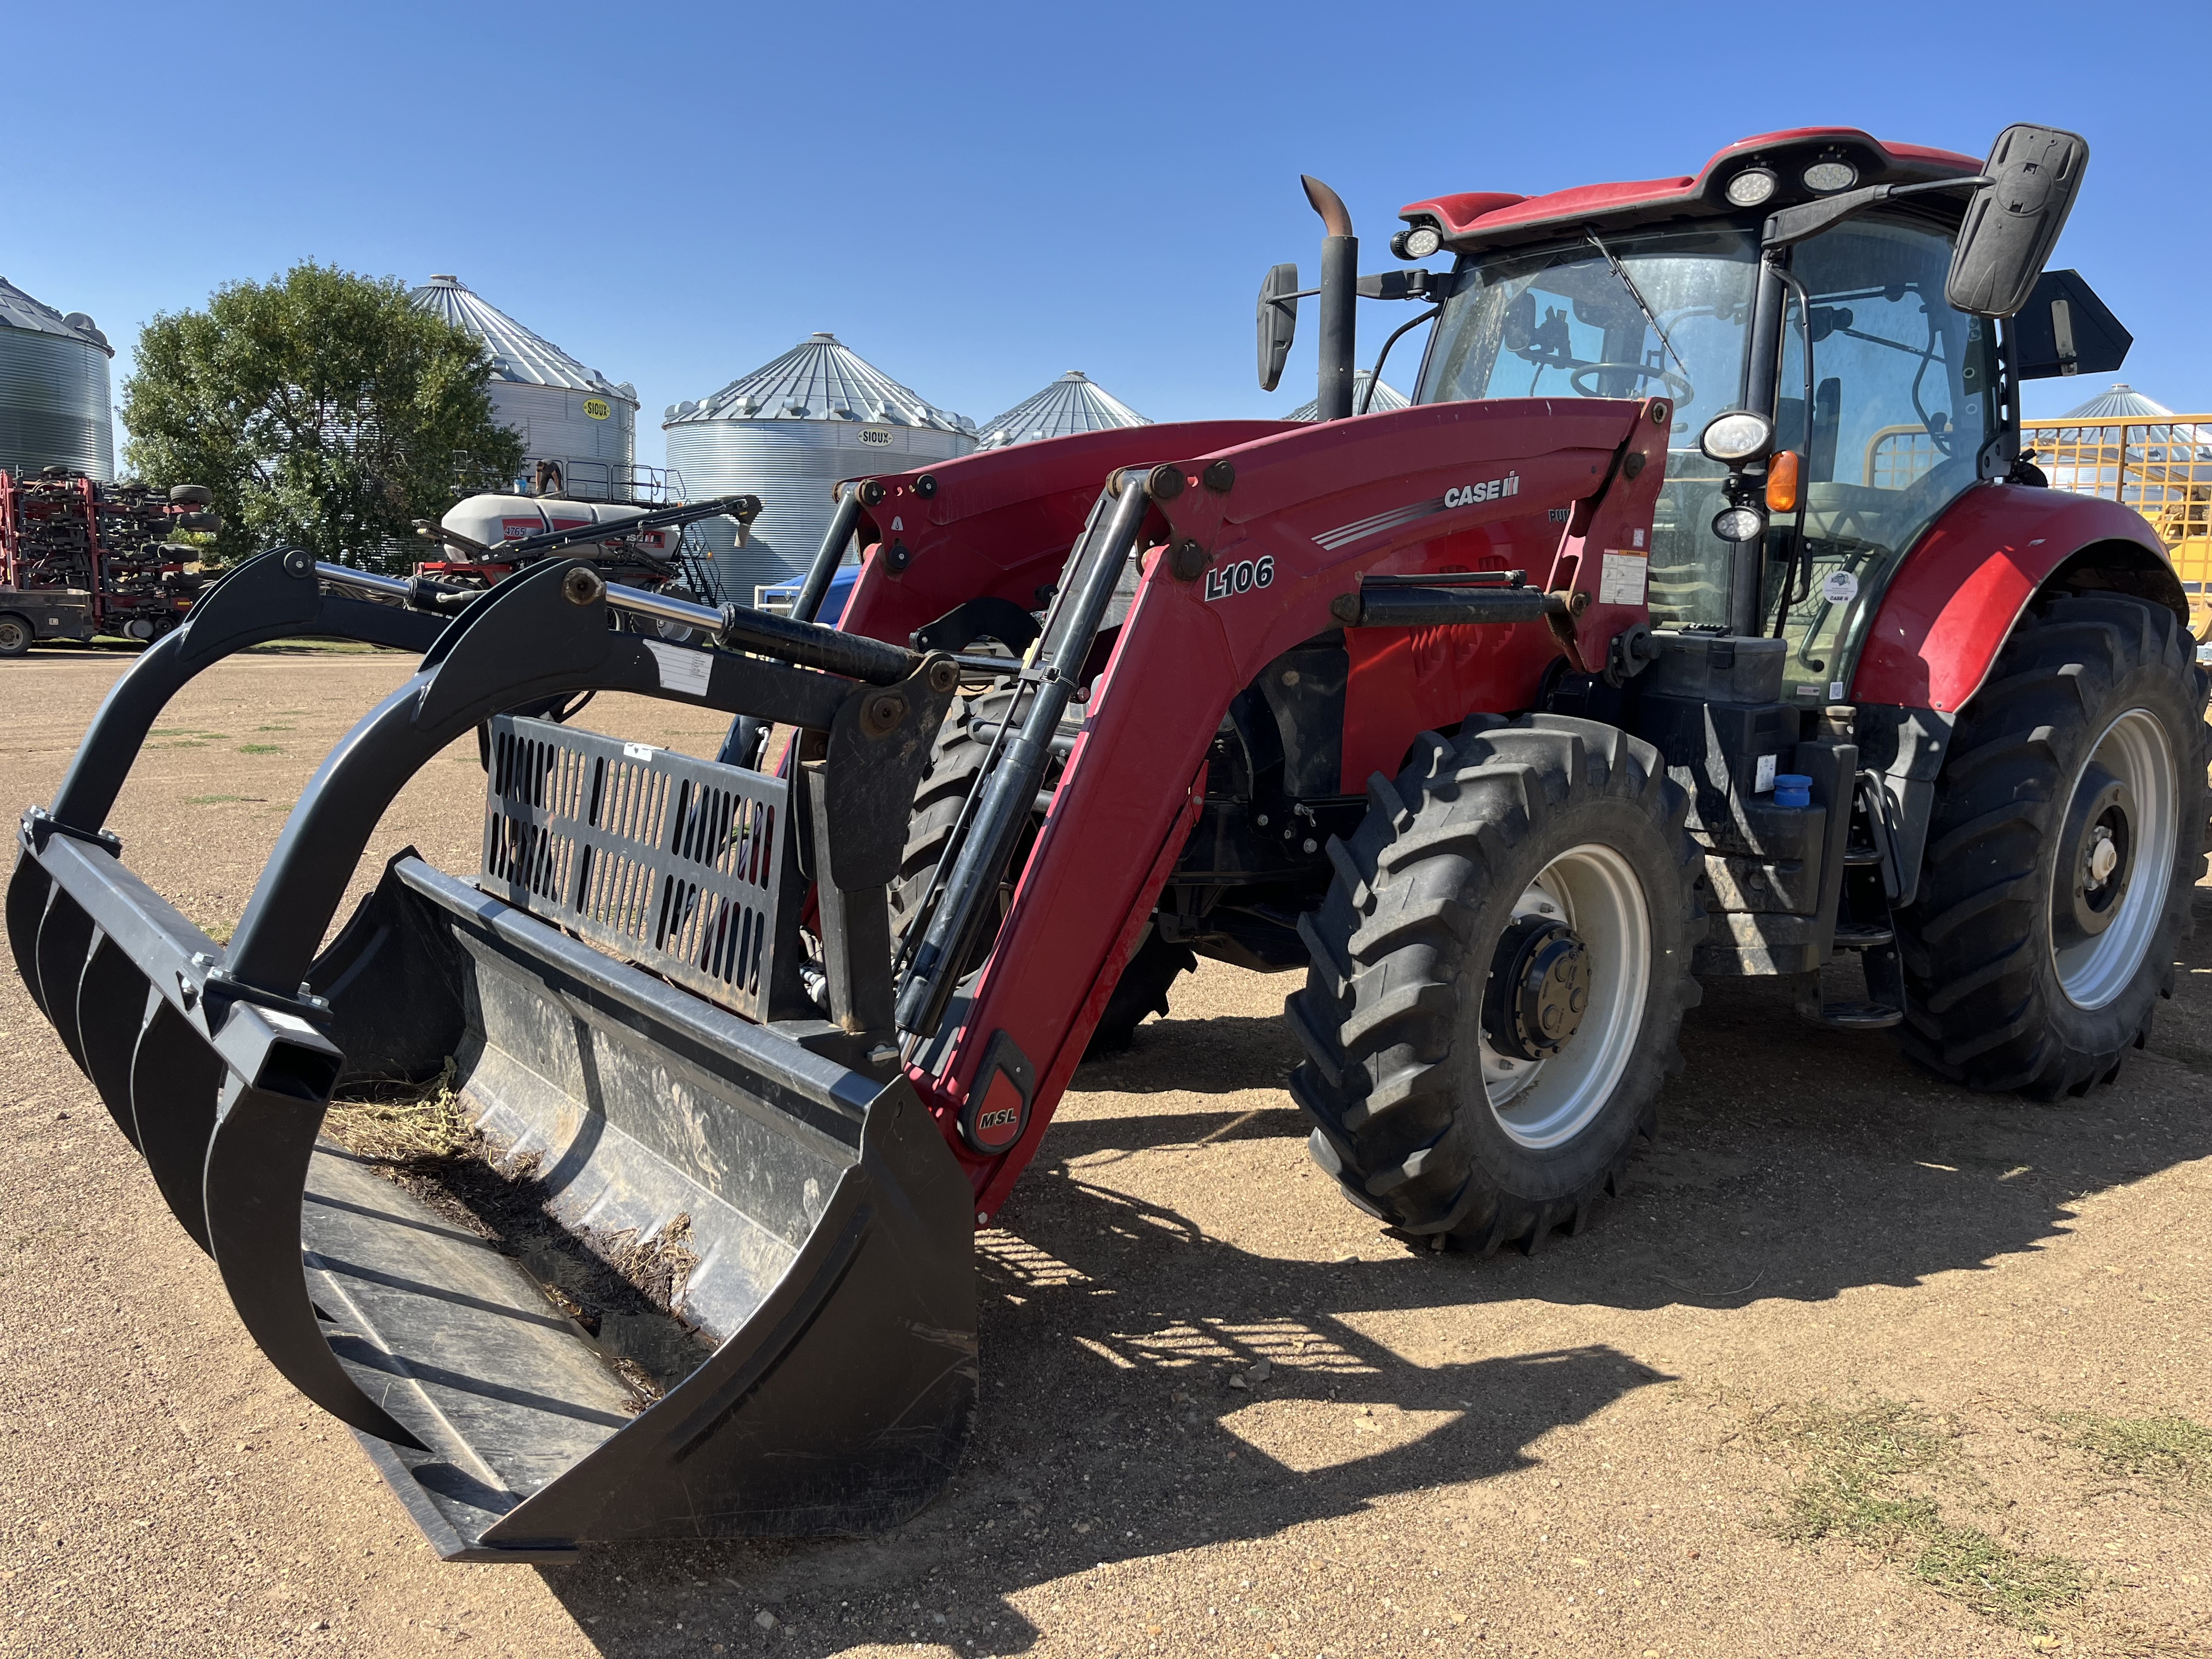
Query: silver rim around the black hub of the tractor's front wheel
{"x": 1547, "y": 1103}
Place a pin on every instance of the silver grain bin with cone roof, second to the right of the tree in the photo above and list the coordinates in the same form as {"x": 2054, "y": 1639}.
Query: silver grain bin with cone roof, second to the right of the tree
{"x": 789, "y": 432}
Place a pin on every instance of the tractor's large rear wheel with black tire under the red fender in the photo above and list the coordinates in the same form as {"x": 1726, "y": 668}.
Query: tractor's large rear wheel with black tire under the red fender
{"x": 2027, "y": 968}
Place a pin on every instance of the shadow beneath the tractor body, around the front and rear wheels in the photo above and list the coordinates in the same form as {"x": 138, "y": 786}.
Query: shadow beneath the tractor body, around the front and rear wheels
{"x": 1793, "y": 1160}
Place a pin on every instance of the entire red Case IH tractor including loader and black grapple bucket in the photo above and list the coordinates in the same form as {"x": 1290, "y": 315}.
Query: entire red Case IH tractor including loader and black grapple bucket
{"x": 1700, "y": 620}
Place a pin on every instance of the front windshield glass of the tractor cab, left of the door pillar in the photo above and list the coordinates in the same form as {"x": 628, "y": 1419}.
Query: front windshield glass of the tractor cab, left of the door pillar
{"x": 1563, "y": 324}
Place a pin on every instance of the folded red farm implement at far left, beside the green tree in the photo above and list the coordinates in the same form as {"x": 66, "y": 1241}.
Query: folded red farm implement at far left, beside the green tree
{"x": 81, "y": 559}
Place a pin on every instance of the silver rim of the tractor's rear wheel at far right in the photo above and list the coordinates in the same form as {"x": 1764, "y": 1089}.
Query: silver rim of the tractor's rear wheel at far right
{"x": 2133, "y": 751}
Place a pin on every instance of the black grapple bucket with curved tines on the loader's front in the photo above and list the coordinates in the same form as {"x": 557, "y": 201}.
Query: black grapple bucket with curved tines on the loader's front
{"x": 614, "y": 999}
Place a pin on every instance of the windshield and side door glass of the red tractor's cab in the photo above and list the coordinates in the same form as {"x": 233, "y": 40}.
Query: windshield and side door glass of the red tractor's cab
{"x": 1888, "y": 419}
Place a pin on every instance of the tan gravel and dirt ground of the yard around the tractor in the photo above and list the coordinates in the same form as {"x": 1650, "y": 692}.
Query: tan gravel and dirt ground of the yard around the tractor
{"x": 1861, "y": 1364}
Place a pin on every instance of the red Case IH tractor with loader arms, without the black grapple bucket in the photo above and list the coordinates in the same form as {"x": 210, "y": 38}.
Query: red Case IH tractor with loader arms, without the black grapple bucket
{"x": 1709, "y": 517}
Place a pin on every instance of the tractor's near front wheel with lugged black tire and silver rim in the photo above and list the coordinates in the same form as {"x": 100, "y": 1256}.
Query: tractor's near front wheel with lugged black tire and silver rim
{"x": 1454, "y": 1078}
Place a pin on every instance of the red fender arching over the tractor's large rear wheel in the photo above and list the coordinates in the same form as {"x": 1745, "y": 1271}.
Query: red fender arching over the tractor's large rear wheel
{"x": 1959, "y": 594}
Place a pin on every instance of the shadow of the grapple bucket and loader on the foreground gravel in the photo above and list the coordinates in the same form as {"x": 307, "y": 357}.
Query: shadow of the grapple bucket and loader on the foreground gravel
{"x": 1109, "y": 1432}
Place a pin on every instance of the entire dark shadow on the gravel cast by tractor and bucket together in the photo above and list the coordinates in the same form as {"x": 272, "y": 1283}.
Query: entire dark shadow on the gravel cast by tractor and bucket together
{"x": 1795, "y": 1162}
